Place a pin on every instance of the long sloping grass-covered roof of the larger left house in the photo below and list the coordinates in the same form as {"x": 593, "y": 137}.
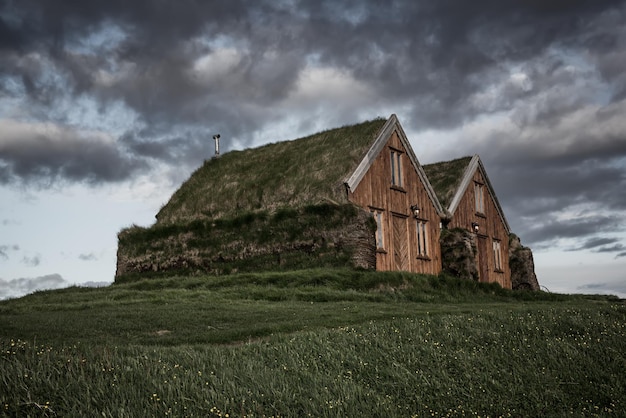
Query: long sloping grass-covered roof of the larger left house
{"x": 293, "y": 173}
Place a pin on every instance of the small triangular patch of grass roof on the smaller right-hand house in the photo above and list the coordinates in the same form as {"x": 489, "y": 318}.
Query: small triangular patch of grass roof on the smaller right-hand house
{"x": 445, "y": 177}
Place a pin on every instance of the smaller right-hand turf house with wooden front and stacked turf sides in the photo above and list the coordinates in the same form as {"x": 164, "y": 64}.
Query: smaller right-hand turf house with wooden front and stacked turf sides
{"x": 477, "y": 241}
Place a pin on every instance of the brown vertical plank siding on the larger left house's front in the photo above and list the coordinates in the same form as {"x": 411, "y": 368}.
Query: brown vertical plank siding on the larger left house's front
{"x": 375, "y": 191}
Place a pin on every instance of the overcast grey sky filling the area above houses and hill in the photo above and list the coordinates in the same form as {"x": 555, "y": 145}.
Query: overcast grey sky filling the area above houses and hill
{"x": 107, "y": 106}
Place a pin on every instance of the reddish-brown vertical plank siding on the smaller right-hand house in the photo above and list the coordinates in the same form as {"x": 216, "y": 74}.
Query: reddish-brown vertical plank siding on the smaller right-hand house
{"x": 490, "y": 227}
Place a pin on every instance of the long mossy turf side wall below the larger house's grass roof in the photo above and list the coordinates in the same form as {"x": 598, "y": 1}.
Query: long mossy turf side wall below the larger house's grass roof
{"x": 323, "y": 235}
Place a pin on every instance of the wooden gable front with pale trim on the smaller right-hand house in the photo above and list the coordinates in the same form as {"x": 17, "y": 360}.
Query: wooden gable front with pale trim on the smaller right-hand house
{"x": 475, "y": 208}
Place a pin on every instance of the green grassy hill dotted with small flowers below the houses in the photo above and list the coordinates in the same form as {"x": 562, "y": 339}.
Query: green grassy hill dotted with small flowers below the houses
{"x": 311, "y": 343}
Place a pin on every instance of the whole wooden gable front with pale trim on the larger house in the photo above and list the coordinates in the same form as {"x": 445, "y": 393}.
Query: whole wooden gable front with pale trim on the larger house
{"x": 391, "y": 184}
